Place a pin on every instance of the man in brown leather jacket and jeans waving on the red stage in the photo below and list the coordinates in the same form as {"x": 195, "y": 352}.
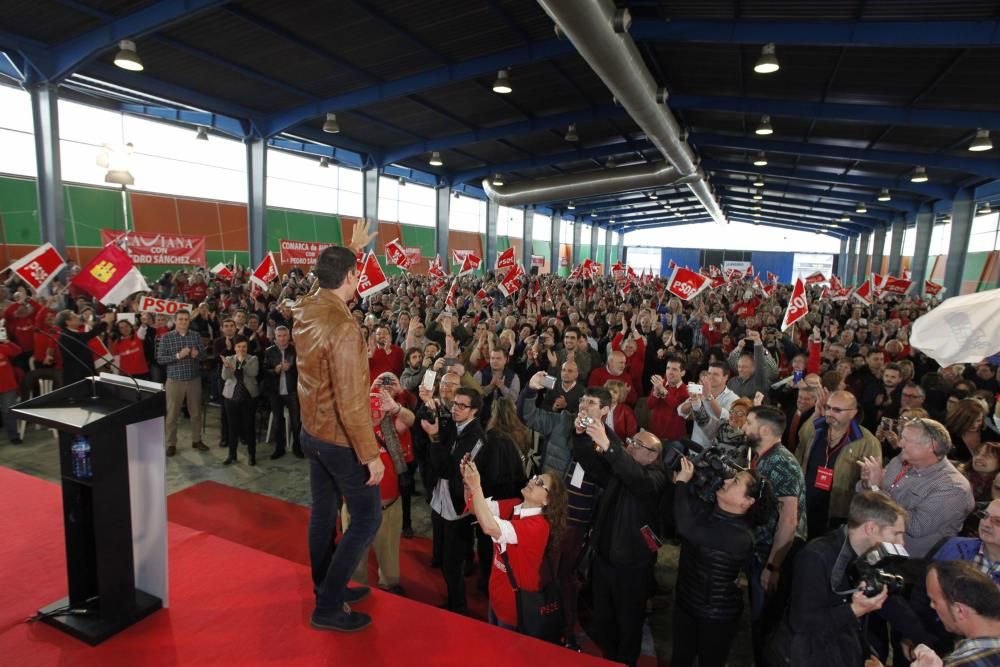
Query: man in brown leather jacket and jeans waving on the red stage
{"x": 337, "y": 437}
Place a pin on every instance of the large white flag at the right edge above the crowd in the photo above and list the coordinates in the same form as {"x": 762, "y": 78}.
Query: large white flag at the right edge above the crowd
{"x": 963, "y": 329}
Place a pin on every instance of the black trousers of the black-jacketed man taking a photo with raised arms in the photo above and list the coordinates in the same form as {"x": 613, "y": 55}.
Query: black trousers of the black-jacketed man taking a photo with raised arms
{"x": 620, "y": 593}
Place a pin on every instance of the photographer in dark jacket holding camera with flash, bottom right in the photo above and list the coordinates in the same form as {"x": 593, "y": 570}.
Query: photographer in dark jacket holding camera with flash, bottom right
{"x": 836, "y": 585}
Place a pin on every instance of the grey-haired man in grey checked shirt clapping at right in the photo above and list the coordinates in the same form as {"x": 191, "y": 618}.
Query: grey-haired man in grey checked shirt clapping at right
{"x": 921, "y": 479}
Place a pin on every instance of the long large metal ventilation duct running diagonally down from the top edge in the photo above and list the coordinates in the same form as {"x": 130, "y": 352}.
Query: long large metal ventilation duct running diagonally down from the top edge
{"x": 591, "y": 26}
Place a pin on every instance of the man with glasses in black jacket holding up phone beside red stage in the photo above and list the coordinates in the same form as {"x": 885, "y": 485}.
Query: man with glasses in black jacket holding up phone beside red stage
{"x": 459, "y": 440}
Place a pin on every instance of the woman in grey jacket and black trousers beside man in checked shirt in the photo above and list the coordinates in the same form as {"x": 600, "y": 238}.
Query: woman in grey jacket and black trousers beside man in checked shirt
{"x": 240, "y": 393}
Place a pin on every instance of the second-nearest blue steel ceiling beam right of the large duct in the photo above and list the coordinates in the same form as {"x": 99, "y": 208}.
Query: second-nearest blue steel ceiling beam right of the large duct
{"x": 864, "y": 113}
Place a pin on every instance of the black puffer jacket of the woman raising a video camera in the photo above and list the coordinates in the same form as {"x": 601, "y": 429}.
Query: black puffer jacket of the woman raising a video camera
{"x": 715, "y": 548}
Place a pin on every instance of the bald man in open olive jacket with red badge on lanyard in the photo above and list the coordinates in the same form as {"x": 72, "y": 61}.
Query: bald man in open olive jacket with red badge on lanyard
{"x": 829, "y": 450}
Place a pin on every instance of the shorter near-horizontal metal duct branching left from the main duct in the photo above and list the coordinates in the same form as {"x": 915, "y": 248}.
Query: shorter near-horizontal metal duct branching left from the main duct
{"x": 579, "y": 186}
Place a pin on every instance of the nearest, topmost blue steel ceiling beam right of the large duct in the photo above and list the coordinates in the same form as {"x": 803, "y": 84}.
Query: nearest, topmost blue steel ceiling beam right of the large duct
{"x": 944, "y": 34}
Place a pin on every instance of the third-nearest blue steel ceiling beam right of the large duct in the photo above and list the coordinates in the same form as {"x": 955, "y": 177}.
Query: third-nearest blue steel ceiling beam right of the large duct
{"x": 984, "y": 167}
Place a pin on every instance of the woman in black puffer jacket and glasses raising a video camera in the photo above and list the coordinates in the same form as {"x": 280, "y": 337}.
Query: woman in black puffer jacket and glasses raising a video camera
{"x": 717, "y": 541}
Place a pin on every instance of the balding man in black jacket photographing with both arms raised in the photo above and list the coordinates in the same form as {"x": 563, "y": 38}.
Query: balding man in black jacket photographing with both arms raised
{"x": 633, "y": 478}
